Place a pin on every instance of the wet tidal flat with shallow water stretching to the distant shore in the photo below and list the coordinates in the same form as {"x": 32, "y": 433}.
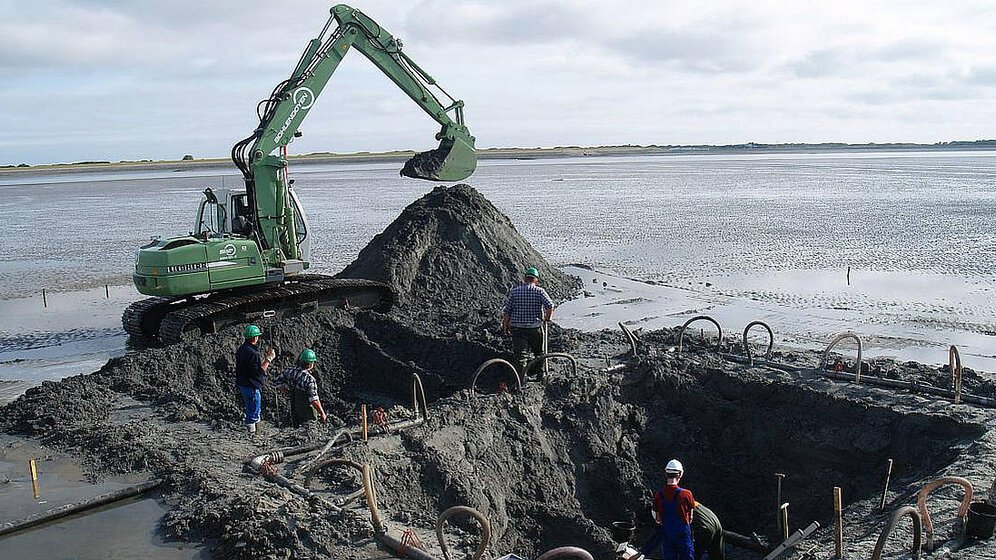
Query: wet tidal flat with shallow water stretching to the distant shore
{"x": 774, "y": 234}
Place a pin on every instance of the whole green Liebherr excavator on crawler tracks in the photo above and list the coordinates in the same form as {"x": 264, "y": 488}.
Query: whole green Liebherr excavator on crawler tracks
{"x": 247, "y": 257}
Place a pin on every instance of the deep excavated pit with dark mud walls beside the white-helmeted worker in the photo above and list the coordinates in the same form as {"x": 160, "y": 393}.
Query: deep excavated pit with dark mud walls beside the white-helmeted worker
{"x": 558, "y": 464}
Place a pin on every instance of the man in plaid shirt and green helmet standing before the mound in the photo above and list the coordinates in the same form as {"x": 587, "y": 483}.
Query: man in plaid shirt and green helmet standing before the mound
{"x": 528, "y": 306}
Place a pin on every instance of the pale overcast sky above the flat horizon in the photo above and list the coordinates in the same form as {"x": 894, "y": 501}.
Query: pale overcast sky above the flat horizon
{"x": 114, "y": 80}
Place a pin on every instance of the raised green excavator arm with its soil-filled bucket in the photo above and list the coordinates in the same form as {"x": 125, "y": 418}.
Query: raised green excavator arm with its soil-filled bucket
{"x": 282, "y": 113}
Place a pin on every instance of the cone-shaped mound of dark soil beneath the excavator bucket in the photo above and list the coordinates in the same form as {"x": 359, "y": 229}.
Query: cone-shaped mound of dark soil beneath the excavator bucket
{"x": 452, "y": 254}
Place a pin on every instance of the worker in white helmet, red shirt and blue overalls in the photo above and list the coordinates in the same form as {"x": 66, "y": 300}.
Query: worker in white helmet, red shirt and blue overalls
{"x": 673, "y": 507}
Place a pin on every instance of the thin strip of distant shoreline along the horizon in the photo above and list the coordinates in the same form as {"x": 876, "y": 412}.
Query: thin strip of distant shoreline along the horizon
{"x": 512, "y": 153}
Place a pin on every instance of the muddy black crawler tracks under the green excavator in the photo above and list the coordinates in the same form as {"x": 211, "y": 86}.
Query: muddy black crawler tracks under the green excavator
{"x": 176, "y": 320}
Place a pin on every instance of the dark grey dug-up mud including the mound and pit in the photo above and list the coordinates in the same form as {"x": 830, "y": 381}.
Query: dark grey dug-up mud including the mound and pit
{"x": 553, "y": 464}
